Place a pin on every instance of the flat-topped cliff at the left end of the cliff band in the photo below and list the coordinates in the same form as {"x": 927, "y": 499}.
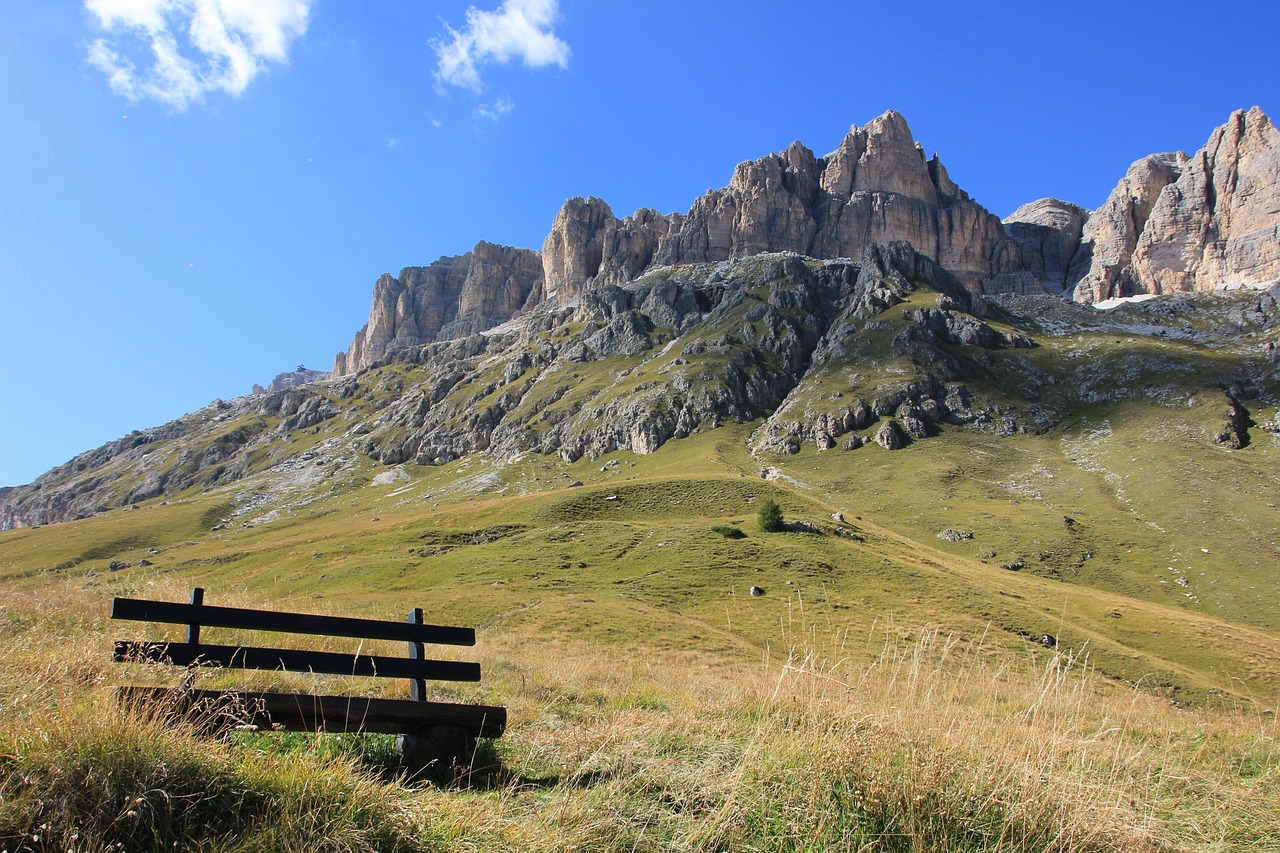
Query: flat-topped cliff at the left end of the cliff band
{"x": 452, "y": 298}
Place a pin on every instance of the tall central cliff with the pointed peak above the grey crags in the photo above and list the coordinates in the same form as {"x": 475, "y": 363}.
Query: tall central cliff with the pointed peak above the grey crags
{"x": 877, "y": 188}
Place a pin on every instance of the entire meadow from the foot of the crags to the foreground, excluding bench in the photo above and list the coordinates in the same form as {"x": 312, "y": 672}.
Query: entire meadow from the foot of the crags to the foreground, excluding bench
{"x": 890, "y": 691}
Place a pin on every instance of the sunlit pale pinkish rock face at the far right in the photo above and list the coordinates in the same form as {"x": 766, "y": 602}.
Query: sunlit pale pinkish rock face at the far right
{"x": 1200, "y": 223}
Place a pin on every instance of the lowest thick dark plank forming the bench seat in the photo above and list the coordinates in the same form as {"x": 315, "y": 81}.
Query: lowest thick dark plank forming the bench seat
{"x": 333, "y": 714}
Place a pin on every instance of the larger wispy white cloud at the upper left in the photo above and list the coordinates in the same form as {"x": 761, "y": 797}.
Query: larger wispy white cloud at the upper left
{"x": 191, "y": 48}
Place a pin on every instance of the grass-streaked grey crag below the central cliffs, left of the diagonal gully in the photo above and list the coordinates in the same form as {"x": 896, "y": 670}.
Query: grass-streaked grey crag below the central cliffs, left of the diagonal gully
{"x": 756, "y": 321}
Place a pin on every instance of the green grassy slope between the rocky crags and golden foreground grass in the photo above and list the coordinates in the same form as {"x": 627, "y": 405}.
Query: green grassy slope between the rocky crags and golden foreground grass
{"x": 646, "y": 571}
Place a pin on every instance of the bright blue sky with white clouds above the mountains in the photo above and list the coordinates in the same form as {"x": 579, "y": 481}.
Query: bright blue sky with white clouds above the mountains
{"x": 176, "y": 230}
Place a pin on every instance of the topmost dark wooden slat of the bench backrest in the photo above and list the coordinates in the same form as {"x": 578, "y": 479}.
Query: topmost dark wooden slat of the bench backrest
{"x": 267, "y": 621}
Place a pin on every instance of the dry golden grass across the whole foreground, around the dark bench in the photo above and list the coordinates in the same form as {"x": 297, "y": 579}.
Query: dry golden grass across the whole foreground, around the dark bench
{"x": 934, "y": 745}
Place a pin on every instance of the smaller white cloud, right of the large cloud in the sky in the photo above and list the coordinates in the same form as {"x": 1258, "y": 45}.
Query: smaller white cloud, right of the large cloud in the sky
{"x": 518, "y": 30}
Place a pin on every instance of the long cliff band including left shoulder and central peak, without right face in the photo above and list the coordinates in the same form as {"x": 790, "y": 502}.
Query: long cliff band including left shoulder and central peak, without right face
{"x": 877, "y": 188}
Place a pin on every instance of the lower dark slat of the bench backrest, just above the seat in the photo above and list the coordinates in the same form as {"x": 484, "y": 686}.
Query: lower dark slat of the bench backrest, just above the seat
{"x": 296, "y": 662}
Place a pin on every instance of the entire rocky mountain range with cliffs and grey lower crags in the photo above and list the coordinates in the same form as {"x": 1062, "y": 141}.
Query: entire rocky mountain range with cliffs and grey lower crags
{"x": 854, "y": 299}
